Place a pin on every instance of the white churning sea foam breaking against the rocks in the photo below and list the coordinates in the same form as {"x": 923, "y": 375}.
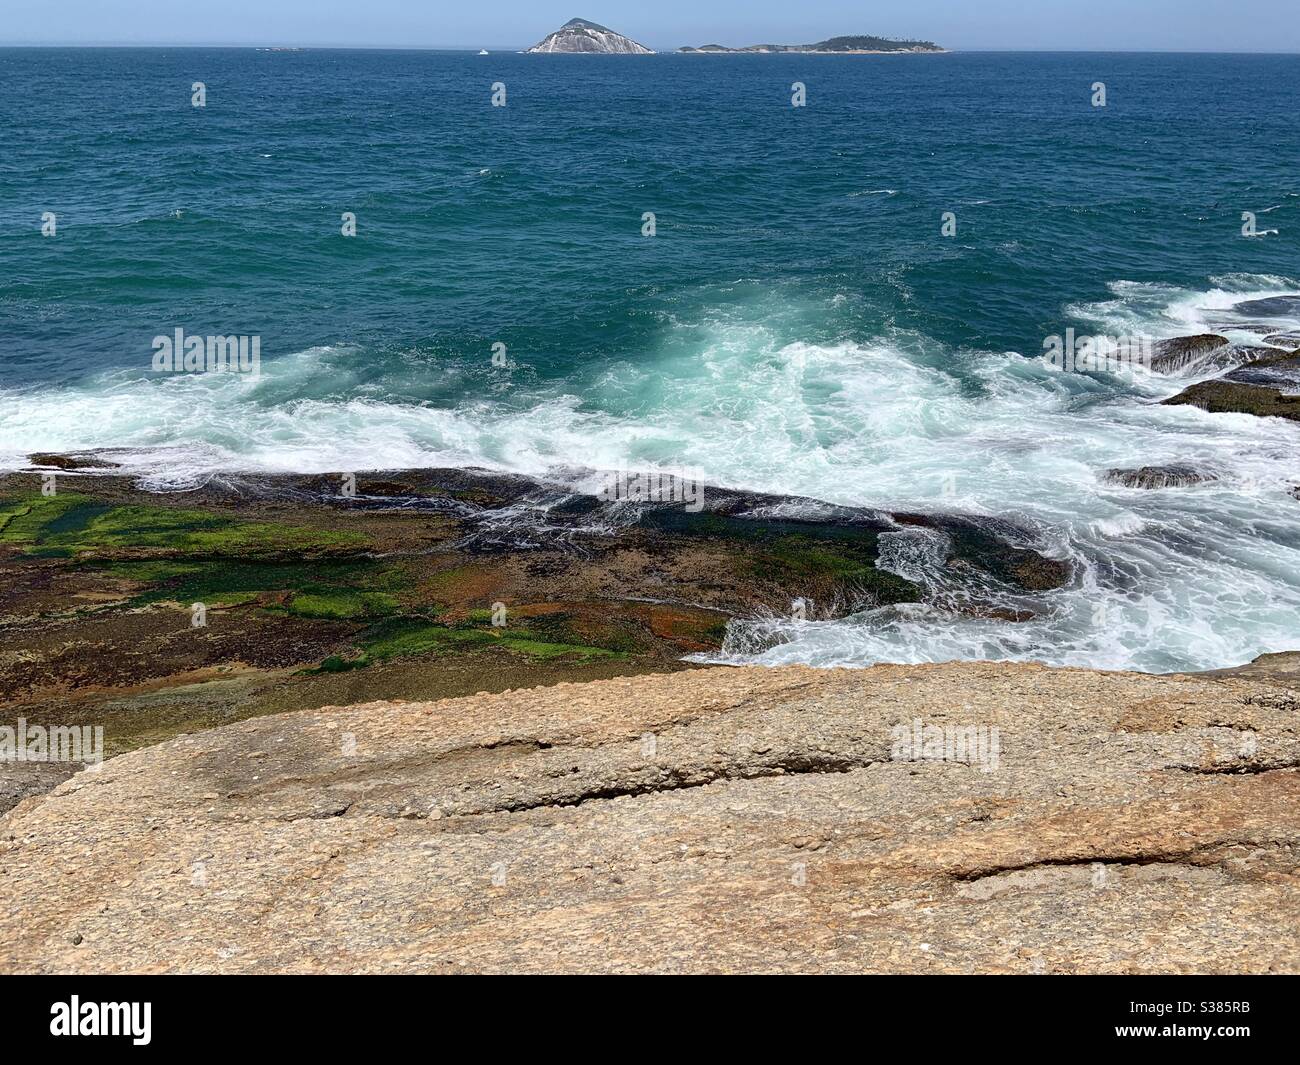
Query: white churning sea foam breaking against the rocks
{"x": 1177, "y": 579}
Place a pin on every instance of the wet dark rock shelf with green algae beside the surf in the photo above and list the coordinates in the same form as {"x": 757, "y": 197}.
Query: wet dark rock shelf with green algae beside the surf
{"x": 154, "y": 614}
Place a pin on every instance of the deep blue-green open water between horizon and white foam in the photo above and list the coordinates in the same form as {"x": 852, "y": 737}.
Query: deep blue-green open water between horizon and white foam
{"x": 523, "y": 223}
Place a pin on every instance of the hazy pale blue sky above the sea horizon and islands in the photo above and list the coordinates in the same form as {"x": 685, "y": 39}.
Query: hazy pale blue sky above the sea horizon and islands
{"x": 1134, "y": 25}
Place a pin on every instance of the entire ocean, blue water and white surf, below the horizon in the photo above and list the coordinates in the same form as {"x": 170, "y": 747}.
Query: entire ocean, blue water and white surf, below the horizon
{"x": 798, "y": 324}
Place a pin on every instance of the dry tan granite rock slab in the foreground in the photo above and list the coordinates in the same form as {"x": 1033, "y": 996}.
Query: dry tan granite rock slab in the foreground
{"x": 708, "y": 821}
